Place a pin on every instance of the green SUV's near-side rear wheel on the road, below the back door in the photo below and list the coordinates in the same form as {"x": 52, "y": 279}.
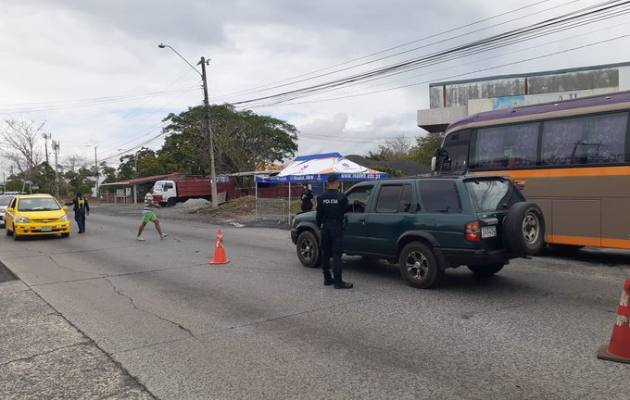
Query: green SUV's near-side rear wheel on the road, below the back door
{"x": 419, "y": 267}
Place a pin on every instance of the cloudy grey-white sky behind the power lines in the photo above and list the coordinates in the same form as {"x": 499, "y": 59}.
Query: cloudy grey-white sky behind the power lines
{"x": 92, "y": 69}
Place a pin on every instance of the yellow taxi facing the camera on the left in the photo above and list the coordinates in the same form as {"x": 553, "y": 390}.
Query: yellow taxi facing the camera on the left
{"x": 35, "y": 215}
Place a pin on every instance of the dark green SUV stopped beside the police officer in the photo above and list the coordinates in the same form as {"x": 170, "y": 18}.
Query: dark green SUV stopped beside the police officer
{"x": 429, "y": 224}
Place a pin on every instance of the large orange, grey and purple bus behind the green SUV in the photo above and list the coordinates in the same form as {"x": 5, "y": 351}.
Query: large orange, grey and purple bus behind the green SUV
{"x": 571, "y": 157}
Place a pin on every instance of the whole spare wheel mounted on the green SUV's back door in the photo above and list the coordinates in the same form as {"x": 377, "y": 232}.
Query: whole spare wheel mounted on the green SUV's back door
{"x": 524, "y": 229}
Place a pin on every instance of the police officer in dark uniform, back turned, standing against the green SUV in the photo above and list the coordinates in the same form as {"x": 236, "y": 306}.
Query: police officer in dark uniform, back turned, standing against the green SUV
{"x": 331, "y": 208}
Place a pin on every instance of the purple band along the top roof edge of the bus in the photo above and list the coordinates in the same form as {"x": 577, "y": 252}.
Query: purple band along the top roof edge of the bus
{"x": 614, "y": 98}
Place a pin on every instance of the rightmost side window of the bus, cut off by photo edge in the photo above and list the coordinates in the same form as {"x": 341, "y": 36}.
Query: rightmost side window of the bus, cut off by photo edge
{"x": 599, "y": 139}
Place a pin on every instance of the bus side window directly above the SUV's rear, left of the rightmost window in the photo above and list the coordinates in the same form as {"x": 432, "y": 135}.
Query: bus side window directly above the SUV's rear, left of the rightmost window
{"x": 508, "y": 146}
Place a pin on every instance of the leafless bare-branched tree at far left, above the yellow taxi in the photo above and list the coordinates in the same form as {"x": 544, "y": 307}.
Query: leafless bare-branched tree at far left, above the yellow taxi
{"x": 20, "y": 144}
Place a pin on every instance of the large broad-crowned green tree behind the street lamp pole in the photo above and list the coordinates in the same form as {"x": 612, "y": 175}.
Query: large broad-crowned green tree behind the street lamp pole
{"x": 241, "y": 138}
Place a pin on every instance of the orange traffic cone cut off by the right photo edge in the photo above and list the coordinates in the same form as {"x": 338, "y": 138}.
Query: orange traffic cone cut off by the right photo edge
{"x": 619, "y": 348}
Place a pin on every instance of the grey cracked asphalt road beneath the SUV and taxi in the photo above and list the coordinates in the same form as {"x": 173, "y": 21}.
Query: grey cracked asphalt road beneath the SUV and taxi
{"x": 263, "y": 327}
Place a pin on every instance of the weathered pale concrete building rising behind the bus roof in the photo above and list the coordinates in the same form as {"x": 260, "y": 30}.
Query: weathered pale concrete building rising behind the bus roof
{"x": 451, "y": 101}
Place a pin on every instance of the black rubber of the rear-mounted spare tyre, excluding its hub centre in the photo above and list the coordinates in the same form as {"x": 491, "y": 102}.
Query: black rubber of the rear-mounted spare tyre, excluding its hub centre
{"x": 513, "y": 235}
